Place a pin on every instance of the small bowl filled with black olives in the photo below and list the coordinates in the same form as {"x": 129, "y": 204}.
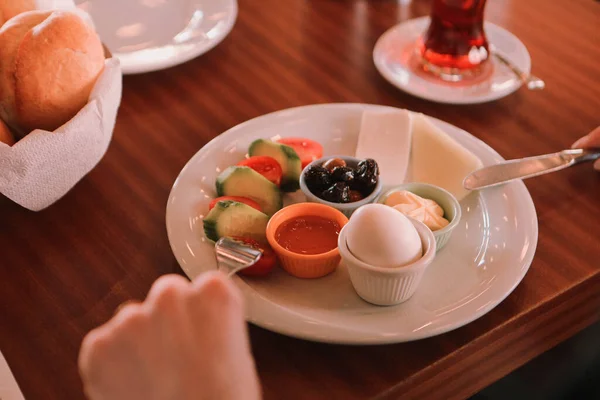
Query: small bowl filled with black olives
{"x": 342, "y": 182}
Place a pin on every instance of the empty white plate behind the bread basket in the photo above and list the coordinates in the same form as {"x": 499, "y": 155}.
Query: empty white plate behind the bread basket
{"x": 149, "y": 35}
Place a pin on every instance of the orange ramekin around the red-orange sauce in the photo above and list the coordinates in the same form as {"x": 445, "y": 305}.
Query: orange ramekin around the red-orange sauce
{"x": 305, "y": 265}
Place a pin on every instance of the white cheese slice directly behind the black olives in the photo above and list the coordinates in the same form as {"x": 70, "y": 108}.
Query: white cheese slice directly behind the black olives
{"x": 385, "y": 136}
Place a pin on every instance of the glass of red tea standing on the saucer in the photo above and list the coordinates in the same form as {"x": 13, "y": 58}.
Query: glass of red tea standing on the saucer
{"x": 455, "y": 45}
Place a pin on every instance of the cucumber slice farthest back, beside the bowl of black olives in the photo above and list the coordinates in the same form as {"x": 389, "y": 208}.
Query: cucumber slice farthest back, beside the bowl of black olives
{"x": 291, "y": 165}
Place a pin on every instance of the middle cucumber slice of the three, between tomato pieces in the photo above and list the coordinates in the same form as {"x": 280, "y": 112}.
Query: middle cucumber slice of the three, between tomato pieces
{"x": 244, "y": 181}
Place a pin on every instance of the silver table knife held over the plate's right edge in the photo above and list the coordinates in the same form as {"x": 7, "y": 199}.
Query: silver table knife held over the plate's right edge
{"x": 528, "y": 167}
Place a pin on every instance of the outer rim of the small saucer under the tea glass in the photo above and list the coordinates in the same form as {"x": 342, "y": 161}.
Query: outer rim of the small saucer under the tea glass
{"x": 383, "y": 71}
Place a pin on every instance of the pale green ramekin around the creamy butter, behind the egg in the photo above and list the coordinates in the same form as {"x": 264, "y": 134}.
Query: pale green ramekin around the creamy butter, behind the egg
{"x": 445, "y": 199}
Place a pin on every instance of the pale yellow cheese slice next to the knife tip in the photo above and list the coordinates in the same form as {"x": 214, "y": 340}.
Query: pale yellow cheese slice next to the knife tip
{"x": 438, "y": 159}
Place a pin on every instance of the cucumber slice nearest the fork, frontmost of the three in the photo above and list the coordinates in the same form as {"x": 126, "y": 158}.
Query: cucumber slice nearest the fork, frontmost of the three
{"x": 232, "y": 218}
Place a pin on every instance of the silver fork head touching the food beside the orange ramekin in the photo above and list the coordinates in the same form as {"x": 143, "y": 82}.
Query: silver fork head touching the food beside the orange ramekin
{"x": 234, "y": 255}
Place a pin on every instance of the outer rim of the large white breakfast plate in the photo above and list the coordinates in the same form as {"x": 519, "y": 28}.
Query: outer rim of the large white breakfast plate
{"x": 370, "y": 340}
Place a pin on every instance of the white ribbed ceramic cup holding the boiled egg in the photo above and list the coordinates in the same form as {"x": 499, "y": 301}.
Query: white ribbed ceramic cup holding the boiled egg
{"x": 388, "y": 286}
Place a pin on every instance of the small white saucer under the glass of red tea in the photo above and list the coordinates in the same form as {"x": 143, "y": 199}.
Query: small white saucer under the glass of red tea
{"x": 394, "y": 57}
